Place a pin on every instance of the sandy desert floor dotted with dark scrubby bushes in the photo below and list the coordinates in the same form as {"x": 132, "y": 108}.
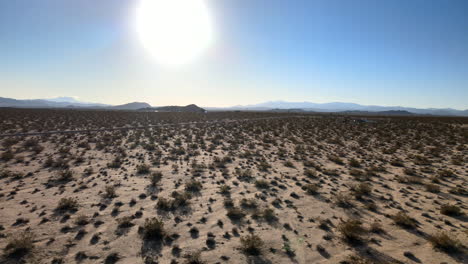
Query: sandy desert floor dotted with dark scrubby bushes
{"x": 288, "y": 189}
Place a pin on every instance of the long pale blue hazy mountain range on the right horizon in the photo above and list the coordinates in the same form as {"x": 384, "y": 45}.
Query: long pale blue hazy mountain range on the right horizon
{"x": 341, "y": 107}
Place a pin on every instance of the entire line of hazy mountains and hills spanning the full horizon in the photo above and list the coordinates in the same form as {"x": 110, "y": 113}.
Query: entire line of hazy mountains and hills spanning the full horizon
{"x": 71, "y": 102}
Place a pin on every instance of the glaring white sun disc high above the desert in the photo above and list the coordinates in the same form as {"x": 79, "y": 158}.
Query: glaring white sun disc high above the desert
{"x": 175, "y": 32}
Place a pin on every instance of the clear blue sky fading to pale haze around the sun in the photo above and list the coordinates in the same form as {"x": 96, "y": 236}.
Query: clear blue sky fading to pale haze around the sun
{"x": 391, "y": 53}
